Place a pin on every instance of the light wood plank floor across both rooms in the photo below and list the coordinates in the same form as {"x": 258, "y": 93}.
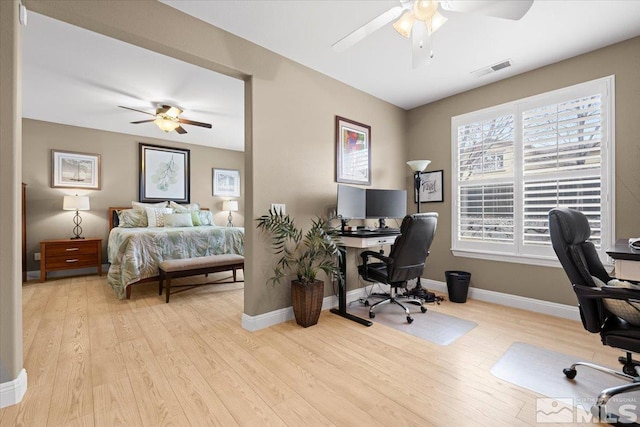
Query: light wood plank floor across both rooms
{"x": 93, "y": 360}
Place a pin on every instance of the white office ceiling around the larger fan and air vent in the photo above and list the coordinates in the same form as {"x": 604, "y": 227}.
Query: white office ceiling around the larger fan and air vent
{"x": 381, "y": 64}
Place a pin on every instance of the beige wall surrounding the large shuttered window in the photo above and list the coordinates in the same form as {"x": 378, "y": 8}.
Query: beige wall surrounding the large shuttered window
{"x": 430, "y": 136}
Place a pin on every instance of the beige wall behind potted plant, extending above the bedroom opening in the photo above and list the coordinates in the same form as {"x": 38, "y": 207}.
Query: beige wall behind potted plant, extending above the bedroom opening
{"x": 289, "y": 147}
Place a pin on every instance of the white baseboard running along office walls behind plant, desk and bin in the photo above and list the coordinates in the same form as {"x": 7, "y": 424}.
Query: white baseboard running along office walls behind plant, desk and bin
{"x": 254, "y": 323}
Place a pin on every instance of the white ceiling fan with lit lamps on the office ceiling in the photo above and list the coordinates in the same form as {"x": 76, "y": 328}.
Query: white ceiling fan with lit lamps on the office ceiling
{"x": 419, "y": 19}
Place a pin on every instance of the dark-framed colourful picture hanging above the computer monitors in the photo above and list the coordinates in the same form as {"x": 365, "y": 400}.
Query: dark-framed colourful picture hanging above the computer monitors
{"x": 353, "y": 152}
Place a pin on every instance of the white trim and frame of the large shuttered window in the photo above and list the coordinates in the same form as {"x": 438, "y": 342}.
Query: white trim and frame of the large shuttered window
{"x": 487, "y": 251}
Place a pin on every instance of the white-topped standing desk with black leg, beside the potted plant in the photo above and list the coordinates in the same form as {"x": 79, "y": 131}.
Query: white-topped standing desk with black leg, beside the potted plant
{"x": 361, "y": 241}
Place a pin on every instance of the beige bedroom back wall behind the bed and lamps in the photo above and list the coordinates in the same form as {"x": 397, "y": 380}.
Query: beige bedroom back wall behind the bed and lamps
{"x": 120, "y": 171}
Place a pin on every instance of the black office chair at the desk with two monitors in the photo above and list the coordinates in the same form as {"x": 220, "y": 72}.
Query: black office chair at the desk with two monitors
{"x": 405, "y": 261}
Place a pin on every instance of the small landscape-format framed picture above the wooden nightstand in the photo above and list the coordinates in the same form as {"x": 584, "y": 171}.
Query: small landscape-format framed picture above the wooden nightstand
{"x": 75, "y": 170}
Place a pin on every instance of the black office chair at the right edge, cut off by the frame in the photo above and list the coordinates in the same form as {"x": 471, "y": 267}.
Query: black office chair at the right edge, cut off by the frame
{"x": 570, "y": 232}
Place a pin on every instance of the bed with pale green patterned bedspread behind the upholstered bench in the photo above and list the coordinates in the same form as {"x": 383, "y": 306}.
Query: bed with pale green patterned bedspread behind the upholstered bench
{"x": 134, "y": 253}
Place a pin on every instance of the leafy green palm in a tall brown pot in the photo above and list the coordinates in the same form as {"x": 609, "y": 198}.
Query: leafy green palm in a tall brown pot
{"x": 302, "y": 256}
